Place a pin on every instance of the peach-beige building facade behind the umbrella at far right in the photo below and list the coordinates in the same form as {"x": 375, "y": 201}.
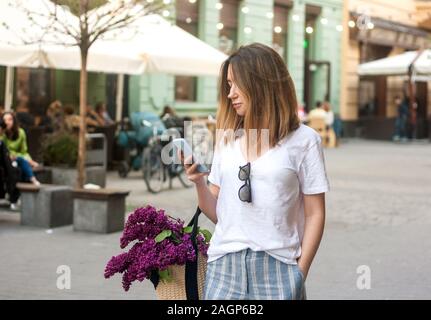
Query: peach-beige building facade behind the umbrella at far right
{"x": 380, "y": 29}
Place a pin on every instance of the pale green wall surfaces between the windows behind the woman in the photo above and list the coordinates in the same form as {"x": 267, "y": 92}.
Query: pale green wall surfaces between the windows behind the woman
{"x": 150, "y": 93}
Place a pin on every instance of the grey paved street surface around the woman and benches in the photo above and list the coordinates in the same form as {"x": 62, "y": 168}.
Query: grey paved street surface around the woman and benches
{"x": 378, "y": 216}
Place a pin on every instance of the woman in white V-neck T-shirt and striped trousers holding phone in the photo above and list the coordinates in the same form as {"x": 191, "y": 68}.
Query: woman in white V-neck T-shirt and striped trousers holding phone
{"x": 266, "y": 196}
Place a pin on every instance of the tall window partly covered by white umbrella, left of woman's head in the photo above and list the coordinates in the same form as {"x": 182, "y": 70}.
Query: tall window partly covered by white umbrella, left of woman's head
{"x": 187, "y": 19}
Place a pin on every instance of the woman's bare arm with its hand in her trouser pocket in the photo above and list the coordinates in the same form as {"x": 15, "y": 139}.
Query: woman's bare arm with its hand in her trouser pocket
{"x": 314, "y": 208}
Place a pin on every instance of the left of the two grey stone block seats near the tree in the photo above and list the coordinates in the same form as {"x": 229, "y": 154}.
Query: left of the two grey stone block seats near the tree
{"x": 46, "y": 206}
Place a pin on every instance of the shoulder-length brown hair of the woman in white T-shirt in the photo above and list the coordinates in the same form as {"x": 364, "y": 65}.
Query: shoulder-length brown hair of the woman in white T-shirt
{"x": 262, "y": 76}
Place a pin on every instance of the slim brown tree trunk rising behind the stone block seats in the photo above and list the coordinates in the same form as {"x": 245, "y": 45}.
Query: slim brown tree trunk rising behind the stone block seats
{"x": 82, "y": 124}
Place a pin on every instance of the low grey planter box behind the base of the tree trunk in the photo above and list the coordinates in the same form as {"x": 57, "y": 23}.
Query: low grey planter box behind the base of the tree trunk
{"x": 68, "y": 176}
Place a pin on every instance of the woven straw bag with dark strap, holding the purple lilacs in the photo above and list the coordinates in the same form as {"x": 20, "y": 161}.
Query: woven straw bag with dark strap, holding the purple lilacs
{"x": 188, "y": 280}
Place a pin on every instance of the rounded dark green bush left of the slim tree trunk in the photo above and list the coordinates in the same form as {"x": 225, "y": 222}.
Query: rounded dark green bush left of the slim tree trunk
{"x": 60, "y": 149}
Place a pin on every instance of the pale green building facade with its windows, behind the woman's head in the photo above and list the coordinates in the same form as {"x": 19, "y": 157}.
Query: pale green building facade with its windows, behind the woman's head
{"x": 306, "y": 33}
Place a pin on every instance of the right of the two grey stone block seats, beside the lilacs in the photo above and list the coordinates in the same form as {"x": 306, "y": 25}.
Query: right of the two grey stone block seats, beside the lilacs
{"x": 101, "y": 210}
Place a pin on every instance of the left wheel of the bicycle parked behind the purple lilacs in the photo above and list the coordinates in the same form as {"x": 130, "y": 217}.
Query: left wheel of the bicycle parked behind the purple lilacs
{"x": 153, "y": 169}
